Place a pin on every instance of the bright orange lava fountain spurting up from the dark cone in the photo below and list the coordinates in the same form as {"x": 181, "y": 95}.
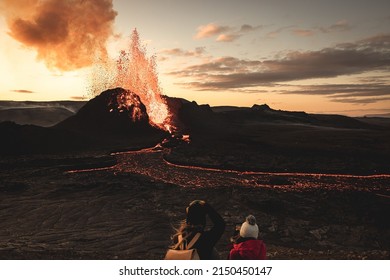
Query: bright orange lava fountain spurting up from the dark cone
{"x": 137, "y": 73}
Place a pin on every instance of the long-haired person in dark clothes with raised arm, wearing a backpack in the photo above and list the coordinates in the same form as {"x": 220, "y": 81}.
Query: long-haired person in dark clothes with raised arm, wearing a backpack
{"x": 194, "y": 223}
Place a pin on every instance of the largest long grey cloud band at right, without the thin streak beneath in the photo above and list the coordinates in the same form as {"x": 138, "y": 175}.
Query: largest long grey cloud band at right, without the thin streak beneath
{"x": 344, "y": 59}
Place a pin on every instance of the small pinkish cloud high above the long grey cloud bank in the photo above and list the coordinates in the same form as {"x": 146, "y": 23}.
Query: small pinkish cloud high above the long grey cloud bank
{"x": 224, "y": 33}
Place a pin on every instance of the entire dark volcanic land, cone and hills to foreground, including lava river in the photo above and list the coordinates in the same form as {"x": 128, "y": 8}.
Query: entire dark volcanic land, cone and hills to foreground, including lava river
{"x": 318, "y": 184}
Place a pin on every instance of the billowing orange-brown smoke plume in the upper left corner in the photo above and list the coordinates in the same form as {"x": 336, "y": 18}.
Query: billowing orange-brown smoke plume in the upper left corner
{"x": 67, "y": 34}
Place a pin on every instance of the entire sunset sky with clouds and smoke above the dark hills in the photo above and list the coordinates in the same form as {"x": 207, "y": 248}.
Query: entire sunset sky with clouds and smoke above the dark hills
{"x": 314, "y": 56}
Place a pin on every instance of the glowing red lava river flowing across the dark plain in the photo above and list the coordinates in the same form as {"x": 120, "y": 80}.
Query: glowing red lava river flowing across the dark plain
{"x": 152, "y": 163}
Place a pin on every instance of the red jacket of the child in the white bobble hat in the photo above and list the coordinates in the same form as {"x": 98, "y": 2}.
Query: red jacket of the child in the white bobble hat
{"x": 251, "y": 249}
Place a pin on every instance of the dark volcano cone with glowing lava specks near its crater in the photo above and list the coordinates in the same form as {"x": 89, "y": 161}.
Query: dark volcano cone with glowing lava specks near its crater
{"x": 114, "y": 119}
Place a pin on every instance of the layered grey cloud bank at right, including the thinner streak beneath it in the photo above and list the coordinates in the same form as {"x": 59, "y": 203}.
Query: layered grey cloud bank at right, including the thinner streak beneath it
{"x": 234, "y": 74}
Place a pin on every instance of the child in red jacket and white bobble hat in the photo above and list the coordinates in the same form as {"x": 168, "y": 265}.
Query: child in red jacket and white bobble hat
{"x": 246, "y": 245}
